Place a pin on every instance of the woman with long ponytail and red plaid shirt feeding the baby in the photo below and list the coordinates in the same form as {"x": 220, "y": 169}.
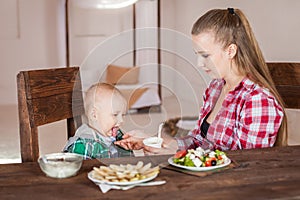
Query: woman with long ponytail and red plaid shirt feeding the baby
{"x": 242, "y": 108}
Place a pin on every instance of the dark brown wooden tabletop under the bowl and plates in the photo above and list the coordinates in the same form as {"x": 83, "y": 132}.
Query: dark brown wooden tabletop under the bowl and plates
{"x": 271, "y": 173}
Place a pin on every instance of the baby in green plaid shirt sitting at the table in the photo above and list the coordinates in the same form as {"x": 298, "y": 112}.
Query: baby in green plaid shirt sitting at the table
{"x": 104, "y": 108}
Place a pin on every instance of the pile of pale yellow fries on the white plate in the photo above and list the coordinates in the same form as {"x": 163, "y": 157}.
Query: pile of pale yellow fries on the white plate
{"x": 124, "y": 173}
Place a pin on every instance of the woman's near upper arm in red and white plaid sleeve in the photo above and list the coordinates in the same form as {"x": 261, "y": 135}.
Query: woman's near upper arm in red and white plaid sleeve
{"x": 260, "y": 120}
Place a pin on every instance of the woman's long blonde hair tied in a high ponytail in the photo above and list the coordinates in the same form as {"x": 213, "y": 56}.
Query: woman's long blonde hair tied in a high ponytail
{"x": 230, "y": 26}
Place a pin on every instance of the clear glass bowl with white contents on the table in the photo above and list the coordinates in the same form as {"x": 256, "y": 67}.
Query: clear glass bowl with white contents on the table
{"x": 60, "y": 165}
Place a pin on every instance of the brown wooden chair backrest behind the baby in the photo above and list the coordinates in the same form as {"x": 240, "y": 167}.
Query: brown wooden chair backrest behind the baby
{"x": 46, "y": 96}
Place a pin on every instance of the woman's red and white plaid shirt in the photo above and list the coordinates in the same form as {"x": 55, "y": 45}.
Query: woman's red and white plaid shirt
{"x": 250, "y": 117}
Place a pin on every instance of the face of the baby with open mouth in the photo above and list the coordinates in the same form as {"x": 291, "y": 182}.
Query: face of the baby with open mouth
{"x": 111, "y": 114}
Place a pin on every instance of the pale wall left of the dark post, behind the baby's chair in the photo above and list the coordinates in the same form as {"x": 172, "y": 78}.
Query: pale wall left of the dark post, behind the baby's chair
{"x": 33, "y": 42}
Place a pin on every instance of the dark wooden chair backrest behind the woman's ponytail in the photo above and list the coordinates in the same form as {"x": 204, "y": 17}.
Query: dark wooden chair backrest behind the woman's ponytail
{"x": 286, "y": 77}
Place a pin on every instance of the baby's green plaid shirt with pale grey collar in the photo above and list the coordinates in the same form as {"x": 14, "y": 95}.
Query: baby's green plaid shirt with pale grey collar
{"x": 85, "y": 144}
